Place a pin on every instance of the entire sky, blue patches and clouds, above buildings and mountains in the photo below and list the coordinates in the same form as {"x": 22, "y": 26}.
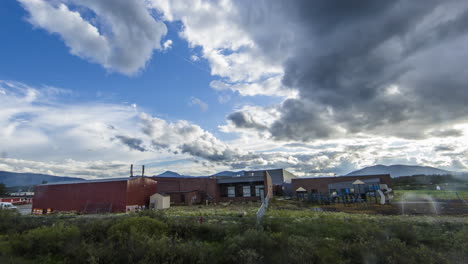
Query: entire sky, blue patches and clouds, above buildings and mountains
{"x": 88, "y": 87}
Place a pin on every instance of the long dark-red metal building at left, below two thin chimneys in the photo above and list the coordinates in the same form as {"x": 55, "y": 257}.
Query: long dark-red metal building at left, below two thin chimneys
{"x": 107, "y": 195}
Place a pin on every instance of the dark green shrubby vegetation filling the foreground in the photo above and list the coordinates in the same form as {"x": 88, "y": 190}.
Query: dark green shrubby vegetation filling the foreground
{"x": 284, "y": 236}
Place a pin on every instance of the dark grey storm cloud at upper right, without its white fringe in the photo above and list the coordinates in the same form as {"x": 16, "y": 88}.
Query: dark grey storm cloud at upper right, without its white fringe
{"x": 389, "y": 68}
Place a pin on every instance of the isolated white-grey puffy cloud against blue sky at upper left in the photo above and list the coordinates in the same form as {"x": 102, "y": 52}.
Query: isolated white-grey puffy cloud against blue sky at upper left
{"x": 121, "y": 37}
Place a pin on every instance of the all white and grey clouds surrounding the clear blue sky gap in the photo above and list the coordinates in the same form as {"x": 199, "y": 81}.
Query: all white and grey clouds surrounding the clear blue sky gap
{"x": 360, "y": 83}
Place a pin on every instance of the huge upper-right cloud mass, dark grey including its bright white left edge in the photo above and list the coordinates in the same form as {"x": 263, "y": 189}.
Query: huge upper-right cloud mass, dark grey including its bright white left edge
{"x": 395, "y": 69}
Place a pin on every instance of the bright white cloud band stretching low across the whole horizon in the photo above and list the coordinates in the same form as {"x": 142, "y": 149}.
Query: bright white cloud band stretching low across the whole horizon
{"x": 41, "y": 134}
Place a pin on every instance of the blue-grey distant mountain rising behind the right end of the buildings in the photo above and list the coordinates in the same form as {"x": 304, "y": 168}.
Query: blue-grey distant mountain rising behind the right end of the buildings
{"x": 399, "y": 170}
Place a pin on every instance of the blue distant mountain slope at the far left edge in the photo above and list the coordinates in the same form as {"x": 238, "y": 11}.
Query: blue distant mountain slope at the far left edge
{"x": 11, "y": 179}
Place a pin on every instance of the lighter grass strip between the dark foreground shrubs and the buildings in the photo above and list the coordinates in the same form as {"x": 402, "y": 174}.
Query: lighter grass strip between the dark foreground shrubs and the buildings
{"x": 280, "y": 208}
